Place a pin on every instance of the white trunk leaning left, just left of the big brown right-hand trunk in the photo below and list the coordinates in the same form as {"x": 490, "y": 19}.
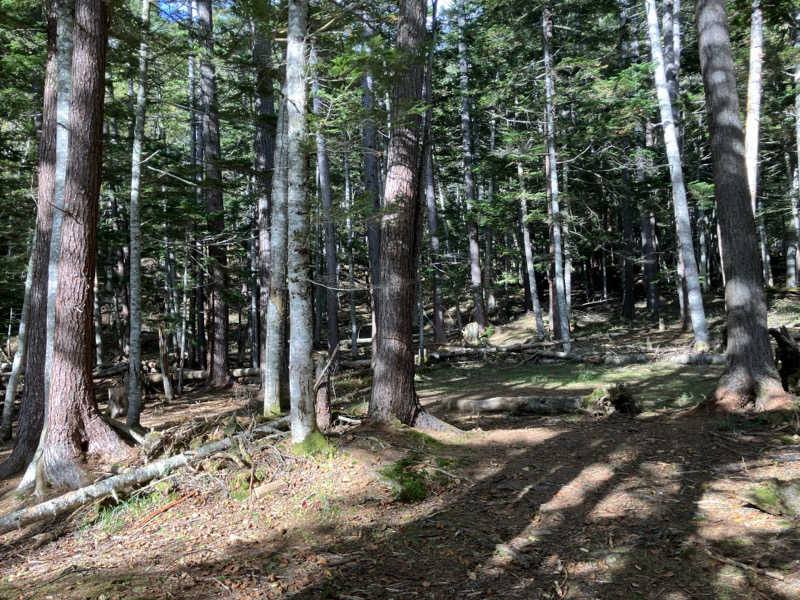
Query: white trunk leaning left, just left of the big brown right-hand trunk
{"x": 679, "y": 201}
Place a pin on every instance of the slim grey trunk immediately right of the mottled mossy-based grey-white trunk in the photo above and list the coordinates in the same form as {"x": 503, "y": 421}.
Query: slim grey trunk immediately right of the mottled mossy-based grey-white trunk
{"x": 332, "y": 283}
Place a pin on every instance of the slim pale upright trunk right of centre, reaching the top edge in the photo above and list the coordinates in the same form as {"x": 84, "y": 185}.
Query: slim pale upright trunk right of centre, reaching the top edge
{"x": 558, "y": 257}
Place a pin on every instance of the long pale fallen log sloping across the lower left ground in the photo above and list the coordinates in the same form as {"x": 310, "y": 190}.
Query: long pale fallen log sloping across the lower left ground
{"x": 110, "y": 486}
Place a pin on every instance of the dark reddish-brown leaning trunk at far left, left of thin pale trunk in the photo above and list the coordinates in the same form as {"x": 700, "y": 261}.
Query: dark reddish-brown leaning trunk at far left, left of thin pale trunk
{"x": 31, "y": 414}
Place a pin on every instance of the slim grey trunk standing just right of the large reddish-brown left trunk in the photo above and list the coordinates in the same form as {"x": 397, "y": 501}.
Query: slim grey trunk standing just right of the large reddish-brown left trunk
{"x": 135, "y": 355}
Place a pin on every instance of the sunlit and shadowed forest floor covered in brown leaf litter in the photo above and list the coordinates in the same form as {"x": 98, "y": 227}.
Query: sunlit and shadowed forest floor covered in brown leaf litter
{"x": 516, "y": 506}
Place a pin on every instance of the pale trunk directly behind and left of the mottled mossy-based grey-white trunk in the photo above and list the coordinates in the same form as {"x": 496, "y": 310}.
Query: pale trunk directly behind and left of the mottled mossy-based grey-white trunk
{"x": 274, "y": 356}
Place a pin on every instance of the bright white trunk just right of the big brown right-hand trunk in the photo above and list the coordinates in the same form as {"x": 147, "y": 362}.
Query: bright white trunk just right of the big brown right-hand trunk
{"x": 752, "y": 127}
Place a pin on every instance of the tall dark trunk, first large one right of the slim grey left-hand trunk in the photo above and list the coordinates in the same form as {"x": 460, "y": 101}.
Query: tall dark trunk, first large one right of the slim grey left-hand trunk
{"x": 217, "y": 316}
